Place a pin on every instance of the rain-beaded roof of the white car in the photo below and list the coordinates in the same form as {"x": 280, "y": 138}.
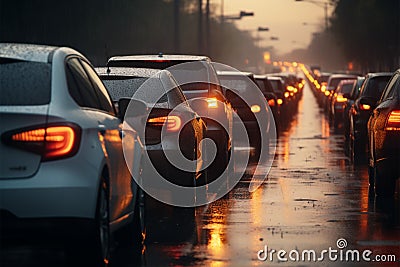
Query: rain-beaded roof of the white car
{"x": 27, "y": 52}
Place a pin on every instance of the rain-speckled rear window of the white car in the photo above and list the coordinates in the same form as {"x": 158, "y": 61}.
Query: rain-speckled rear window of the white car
{"x": 24, "y": 83}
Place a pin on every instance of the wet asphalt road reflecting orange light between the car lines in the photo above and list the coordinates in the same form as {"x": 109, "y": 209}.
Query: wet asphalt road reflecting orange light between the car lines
{"x": 313, "y": 197}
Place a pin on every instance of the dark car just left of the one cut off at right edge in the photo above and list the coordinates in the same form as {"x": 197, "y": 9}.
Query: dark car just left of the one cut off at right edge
{"x": 370, "y": 92}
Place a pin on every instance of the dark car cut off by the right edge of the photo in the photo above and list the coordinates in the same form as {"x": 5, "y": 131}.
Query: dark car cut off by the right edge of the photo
{"x": 384, "y": 139}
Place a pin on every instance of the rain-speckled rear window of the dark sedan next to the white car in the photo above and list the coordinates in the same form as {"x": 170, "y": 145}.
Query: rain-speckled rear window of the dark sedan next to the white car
{"x": 121, "y": 86}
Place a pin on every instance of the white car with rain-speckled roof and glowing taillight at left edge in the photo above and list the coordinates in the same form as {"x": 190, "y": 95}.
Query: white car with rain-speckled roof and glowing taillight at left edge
{"x": 61, "y": 152}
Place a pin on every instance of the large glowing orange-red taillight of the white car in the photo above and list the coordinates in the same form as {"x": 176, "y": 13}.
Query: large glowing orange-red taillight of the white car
{"x": 52, "y": 142}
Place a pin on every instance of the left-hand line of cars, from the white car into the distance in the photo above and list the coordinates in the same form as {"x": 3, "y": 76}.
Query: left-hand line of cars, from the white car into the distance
{"x": 81, "y": 147}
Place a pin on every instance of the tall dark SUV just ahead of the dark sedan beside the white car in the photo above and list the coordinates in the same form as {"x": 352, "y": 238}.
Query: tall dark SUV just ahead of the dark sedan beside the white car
{"x": 198, "y": 79}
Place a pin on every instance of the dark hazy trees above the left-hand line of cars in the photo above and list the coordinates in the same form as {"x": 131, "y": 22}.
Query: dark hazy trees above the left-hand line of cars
{"x": 103, "y": 28}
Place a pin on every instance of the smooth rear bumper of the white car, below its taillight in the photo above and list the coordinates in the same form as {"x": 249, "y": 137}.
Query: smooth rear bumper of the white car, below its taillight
{"x": 58, "y": 189}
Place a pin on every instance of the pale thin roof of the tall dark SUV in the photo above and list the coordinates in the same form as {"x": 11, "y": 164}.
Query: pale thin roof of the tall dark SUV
{"x": 171, "y": 57}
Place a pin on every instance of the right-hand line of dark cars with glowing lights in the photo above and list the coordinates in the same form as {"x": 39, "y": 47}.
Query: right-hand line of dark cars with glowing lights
{"x": 369, "y": 108}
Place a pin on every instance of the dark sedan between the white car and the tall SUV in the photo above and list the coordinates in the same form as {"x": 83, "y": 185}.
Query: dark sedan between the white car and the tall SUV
{"x": 170, "y": 119}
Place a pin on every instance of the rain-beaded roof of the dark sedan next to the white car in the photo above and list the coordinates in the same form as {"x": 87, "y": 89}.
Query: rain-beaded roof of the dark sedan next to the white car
{"x": 130, "y": 72}
